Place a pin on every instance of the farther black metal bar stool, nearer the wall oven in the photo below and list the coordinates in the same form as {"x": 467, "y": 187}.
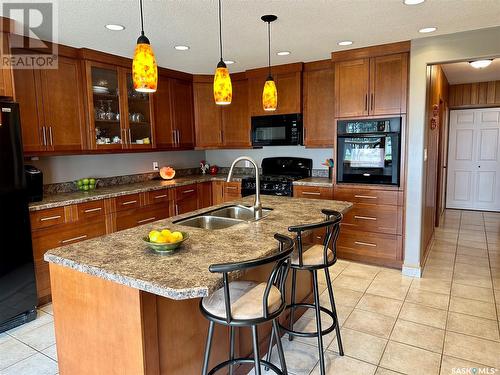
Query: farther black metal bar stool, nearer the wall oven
{"x": 312, "y": 259}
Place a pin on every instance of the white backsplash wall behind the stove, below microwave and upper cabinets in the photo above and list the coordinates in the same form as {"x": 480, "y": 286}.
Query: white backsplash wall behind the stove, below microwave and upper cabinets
{"x": 224, "y": 158}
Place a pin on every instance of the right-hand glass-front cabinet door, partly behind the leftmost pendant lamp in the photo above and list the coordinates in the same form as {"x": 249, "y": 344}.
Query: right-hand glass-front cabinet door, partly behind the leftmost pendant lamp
{"x": 139, "y": 116}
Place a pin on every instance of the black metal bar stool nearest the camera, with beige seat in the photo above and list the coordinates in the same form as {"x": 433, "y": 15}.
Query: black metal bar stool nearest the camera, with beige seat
{"x": 248, "y": 304}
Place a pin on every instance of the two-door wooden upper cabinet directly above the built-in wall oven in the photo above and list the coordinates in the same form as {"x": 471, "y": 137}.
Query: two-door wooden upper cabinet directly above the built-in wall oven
{"x": 371, "y": 81}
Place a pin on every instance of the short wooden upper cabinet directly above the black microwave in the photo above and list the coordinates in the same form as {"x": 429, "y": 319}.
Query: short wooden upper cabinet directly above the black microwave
{"x": 288, "y": 79}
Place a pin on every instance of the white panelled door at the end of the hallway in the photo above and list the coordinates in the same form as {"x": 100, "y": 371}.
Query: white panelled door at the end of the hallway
{"x": 473, "y": 160}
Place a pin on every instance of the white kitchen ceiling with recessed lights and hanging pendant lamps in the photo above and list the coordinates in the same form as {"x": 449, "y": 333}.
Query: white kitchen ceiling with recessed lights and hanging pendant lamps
{"x": 310, "y": 29}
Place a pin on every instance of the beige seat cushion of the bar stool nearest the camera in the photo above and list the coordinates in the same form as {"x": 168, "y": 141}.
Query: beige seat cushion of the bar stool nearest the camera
{"x": 246, "y": 299}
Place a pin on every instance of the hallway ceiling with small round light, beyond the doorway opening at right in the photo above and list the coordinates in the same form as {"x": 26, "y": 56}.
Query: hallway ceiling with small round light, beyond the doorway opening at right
{"x": 462, "y": 72}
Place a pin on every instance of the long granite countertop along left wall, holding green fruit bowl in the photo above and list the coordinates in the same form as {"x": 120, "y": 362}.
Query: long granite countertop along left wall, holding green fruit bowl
{"x": 65, "y": 199}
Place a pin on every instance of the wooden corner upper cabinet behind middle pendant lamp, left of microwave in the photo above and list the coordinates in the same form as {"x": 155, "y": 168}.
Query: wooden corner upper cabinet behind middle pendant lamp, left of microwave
{"x": 221, "y": 126}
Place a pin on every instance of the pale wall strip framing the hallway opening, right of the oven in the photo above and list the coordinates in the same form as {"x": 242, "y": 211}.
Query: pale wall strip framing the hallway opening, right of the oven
{"x": 439, "y": 49}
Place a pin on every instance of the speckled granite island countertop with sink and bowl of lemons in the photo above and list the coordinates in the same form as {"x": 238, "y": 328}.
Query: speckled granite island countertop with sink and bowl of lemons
{"x": 123, "y": 258}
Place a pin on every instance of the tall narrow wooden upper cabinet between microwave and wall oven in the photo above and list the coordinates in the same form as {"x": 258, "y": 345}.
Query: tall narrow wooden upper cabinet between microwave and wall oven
{"x": 318, "y": 100}
